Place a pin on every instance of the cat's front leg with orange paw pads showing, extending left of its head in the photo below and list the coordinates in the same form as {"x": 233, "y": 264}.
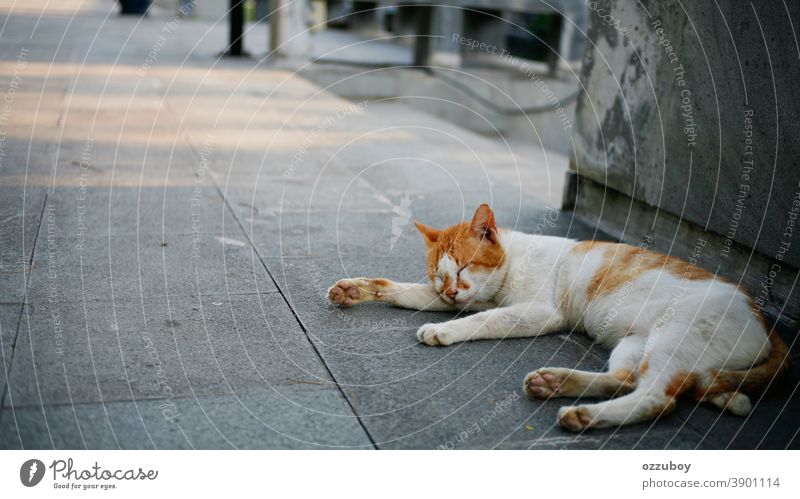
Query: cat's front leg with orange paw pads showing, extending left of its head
{"x": 416, "y": 296}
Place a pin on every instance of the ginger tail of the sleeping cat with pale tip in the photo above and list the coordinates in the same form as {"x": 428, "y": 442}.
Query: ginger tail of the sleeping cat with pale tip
{"x": 727, "y": 389}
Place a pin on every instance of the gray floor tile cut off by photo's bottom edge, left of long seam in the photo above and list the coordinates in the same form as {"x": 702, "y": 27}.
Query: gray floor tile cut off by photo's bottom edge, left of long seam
{"x": 306, "y": 417}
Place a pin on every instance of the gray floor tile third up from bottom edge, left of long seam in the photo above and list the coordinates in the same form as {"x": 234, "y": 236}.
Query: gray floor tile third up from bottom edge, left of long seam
{"x": 133, "y": 267}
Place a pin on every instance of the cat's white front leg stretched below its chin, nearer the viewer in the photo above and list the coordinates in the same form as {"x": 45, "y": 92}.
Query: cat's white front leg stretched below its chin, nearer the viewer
{"x": 516, "y": 321}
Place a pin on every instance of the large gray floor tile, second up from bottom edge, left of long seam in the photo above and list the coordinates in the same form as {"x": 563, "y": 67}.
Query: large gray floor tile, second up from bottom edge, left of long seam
{"x": 74, "y": 353}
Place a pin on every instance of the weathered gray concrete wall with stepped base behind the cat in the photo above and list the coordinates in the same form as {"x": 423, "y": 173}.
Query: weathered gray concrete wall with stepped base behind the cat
{"x": 690, "y": 113}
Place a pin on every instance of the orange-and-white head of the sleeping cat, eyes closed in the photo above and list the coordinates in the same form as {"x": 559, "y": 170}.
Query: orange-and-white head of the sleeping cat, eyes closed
{"x": 463, "y": 260}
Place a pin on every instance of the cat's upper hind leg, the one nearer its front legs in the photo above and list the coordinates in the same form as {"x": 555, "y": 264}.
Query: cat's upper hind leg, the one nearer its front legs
{"x": 549, "y": 382}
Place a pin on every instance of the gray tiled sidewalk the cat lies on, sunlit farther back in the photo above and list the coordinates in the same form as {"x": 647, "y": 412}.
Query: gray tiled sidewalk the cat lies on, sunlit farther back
{"x": 170, "y": 223}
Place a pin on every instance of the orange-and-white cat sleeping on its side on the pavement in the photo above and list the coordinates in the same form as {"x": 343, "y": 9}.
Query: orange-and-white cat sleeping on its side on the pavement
{"x": 674, "y": 328}
